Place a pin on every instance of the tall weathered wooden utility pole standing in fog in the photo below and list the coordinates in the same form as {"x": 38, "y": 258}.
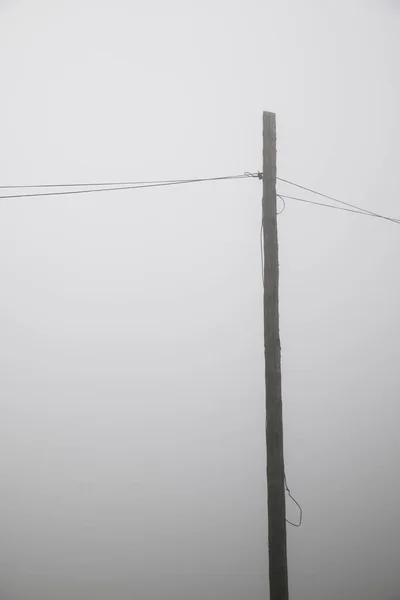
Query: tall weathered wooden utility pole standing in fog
{"x": 278, "y": 575}
